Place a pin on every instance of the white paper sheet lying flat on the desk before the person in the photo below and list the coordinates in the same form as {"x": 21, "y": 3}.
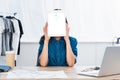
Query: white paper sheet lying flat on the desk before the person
{"x": 35, "y": 74}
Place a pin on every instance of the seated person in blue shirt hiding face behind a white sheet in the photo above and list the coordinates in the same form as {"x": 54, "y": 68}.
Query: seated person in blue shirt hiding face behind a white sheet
{"x": 57, "y": 51}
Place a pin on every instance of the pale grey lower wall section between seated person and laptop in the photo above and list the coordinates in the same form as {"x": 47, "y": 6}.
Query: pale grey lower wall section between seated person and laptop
{"x": 91, "y": 53}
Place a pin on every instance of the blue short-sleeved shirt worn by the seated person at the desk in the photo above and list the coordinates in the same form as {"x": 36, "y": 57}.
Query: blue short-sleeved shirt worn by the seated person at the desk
{"x": 57, "y": 51}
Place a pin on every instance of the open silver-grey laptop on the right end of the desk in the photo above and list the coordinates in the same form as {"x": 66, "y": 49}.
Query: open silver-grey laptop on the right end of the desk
{"x": 110, "y": 64}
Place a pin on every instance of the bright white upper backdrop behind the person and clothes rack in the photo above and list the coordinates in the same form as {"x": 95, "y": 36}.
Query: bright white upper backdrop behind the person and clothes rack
{"x": 89, "y": 20}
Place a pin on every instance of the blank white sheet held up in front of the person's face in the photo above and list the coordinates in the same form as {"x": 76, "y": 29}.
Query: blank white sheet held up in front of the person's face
{"x": 56, "y": 24}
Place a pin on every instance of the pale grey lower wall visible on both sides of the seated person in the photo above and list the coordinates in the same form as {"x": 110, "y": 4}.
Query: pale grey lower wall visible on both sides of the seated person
{"x": 88, "y": 53}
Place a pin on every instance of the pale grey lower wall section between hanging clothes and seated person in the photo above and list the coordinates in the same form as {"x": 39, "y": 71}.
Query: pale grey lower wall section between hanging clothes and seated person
{"x": 28, "y": 54}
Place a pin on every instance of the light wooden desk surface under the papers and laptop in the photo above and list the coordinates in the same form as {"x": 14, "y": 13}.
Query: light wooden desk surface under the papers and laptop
{"x": 69, "y": 71}
